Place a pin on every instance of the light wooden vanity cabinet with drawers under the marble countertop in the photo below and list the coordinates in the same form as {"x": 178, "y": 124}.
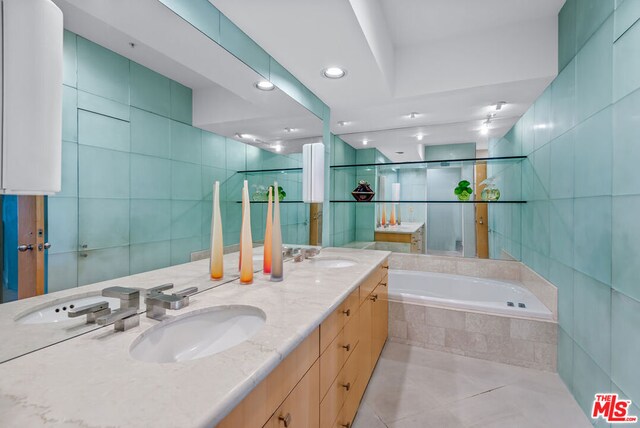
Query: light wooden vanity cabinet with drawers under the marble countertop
{"x": 321, "y": 383}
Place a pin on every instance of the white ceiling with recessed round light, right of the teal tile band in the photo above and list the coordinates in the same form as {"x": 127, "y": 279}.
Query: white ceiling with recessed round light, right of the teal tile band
{"x": 449, "y": 60}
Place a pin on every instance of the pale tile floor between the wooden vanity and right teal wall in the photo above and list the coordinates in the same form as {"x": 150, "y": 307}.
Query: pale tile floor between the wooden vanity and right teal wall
{"x": 416, "y": 387}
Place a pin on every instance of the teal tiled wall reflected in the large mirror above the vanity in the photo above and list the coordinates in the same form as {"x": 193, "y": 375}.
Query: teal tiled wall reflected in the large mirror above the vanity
{"x": 137, "y": 178}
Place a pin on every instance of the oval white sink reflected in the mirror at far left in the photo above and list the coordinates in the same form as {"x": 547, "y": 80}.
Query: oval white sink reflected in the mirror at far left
{"x": 56, "y": 311}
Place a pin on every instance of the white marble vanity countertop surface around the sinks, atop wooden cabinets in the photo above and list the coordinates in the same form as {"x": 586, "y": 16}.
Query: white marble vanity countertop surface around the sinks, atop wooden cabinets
{"x": 91, "y": 380}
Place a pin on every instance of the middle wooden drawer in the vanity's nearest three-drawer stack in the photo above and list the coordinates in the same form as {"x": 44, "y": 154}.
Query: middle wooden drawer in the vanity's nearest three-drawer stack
{"x": 336, "y": 354}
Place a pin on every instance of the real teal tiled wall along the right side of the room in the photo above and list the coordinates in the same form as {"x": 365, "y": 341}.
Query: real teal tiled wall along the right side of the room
{"x": 593, "y": 196}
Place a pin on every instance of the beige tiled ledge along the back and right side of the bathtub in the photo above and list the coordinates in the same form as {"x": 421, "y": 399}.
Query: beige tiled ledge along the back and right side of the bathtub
{"x": 546, "y": 292}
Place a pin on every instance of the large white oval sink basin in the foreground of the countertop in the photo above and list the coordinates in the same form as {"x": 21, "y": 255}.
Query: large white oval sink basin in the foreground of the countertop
{"x": 198, "y": 334}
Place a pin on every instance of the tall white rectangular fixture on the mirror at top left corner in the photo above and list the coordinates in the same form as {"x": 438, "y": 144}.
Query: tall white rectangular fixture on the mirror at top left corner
{"x": 31, "y": 76}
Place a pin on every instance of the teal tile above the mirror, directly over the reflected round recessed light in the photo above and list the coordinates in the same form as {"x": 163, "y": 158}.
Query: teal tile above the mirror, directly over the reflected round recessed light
{"x": 242, "y": 47}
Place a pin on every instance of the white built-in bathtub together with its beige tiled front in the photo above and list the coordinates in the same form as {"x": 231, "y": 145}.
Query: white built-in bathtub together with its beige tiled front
{"x": 472, "y": 316}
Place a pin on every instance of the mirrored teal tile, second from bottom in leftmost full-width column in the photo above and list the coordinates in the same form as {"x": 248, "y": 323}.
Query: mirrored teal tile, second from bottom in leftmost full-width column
{"x": 103, "y": 223}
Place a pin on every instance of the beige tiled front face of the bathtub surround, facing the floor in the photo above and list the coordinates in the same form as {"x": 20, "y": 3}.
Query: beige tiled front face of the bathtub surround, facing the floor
{"x": 517, "y": 341}
